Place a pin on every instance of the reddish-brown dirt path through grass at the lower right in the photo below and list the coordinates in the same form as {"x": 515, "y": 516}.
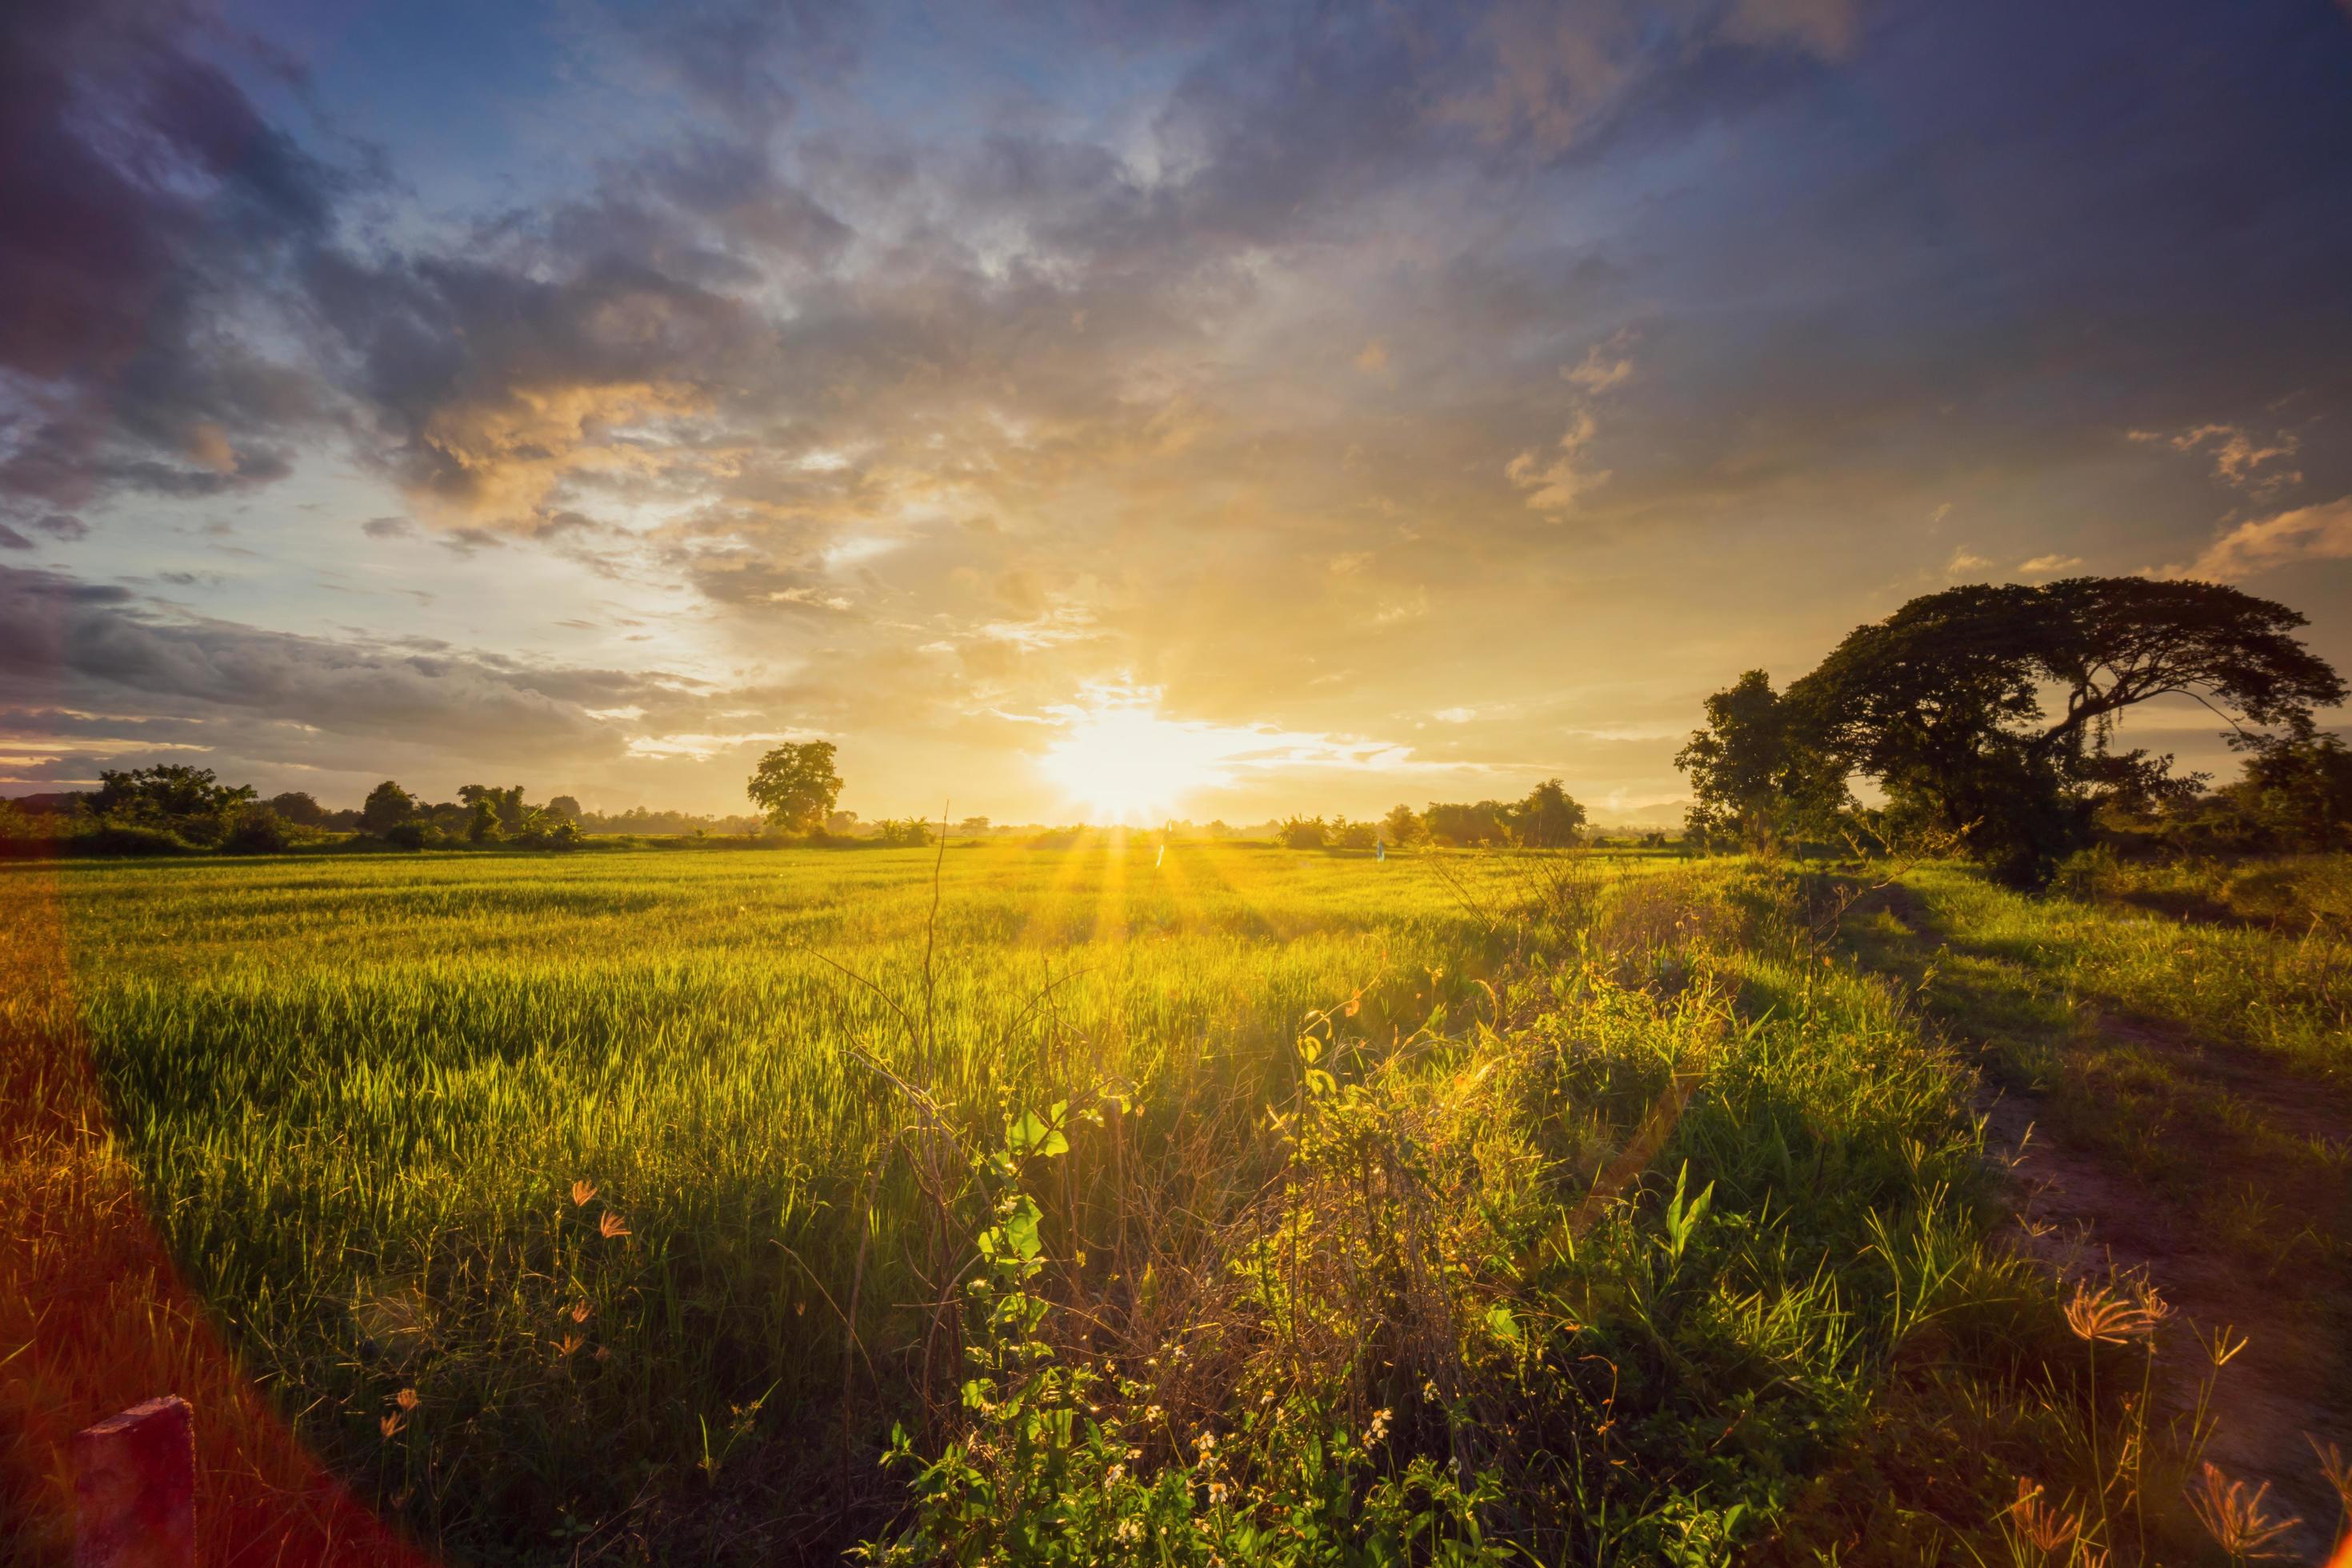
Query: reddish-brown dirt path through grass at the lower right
{"x": 2087, "y": 1217}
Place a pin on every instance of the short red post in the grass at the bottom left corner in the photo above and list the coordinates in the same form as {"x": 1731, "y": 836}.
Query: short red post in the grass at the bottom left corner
{"x": 135, "y": 1489}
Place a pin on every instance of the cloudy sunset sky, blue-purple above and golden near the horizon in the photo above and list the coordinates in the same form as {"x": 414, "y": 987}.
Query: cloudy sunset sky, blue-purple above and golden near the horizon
{"x": 1325, "y": 408}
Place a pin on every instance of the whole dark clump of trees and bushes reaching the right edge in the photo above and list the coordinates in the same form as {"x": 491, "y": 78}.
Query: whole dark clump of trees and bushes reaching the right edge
{"x": 1986, "y": 718}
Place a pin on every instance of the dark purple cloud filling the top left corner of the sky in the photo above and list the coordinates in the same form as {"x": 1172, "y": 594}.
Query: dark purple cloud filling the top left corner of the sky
{"x": 147, "y": 199}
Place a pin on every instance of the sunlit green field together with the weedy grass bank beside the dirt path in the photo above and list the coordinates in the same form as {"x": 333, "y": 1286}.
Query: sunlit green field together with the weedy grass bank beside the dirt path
{"x": 1586, "y": 1209}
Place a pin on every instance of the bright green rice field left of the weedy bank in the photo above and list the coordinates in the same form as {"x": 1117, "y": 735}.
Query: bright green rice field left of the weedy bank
{"x": 363, "y": 1094}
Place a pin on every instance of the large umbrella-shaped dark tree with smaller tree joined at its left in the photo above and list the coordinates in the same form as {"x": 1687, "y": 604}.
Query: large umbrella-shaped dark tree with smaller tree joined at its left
{"x": 1993, "y": 711}
